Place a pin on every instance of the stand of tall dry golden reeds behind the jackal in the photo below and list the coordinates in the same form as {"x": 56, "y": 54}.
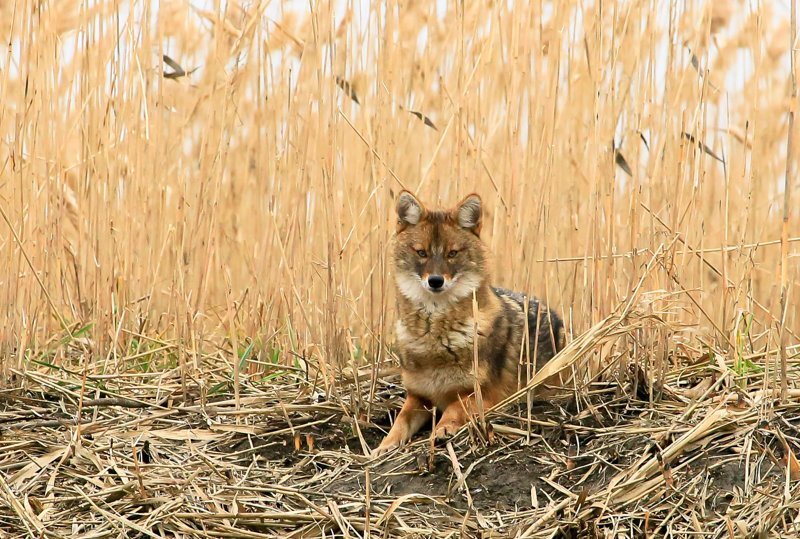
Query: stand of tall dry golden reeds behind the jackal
{"x": 244, "y": 206}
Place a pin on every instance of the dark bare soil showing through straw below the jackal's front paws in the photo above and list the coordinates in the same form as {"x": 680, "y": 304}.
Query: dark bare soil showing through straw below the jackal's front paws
{"x": 497, "y": 477}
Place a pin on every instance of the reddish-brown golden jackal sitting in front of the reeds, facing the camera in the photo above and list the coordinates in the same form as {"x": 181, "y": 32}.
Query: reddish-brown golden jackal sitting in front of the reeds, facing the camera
{"x": 439, "y": 261}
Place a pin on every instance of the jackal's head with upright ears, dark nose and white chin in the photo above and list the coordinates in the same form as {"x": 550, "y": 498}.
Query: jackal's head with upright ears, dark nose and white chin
{"x": 439, "y": 256}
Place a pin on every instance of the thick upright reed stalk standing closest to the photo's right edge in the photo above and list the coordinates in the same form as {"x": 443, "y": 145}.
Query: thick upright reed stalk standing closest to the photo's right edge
{"x": 782, "y": 337}
